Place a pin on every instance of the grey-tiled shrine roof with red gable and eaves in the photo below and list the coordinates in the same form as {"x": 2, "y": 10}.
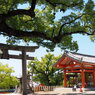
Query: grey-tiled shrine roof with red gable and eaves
{"x": 69, "y": 58}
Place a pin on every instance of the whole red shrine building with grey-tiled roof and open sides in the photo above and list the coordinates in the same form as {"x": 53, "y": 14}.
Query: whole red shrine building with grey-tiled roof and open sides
{"x": 79, "y": 69}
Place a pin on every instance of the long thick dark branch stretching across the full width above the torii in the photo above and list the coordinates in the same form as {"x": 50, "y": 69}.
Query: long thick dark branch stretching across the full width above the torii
{"x": 19, "y": 33}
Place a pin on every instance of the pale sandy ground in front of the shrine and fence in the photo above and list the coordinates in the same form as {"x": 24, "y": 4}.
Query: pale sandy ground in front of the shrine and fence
{"x": 59, "y": 92}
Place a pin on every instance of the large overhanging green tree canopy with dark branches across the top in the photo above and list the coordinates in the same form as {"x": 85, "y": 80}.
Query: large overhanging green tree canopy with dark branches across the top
{"x": 47, "y": 23}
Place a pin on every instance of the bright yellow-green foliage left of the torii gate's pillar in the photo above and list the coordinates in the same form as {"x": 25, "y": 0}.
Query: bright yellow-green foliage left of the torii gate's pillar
{"x": 6, "y": 79}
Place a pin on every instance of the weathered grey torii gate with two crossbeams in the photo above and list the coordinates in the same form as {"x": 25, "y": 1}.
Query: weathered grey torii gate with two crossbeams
{"x": 5, "y": 55}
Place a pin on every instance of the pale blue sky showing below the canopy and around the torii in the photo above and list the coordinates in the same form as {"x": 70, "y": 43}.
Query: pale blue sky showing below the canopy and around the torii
{"x": 85, "y": 47}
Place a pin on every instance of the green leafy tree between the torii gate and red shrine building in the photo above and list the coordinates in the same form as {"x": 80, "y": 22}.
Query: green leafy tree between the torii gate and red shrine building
{"x": 44, "y": 72}
